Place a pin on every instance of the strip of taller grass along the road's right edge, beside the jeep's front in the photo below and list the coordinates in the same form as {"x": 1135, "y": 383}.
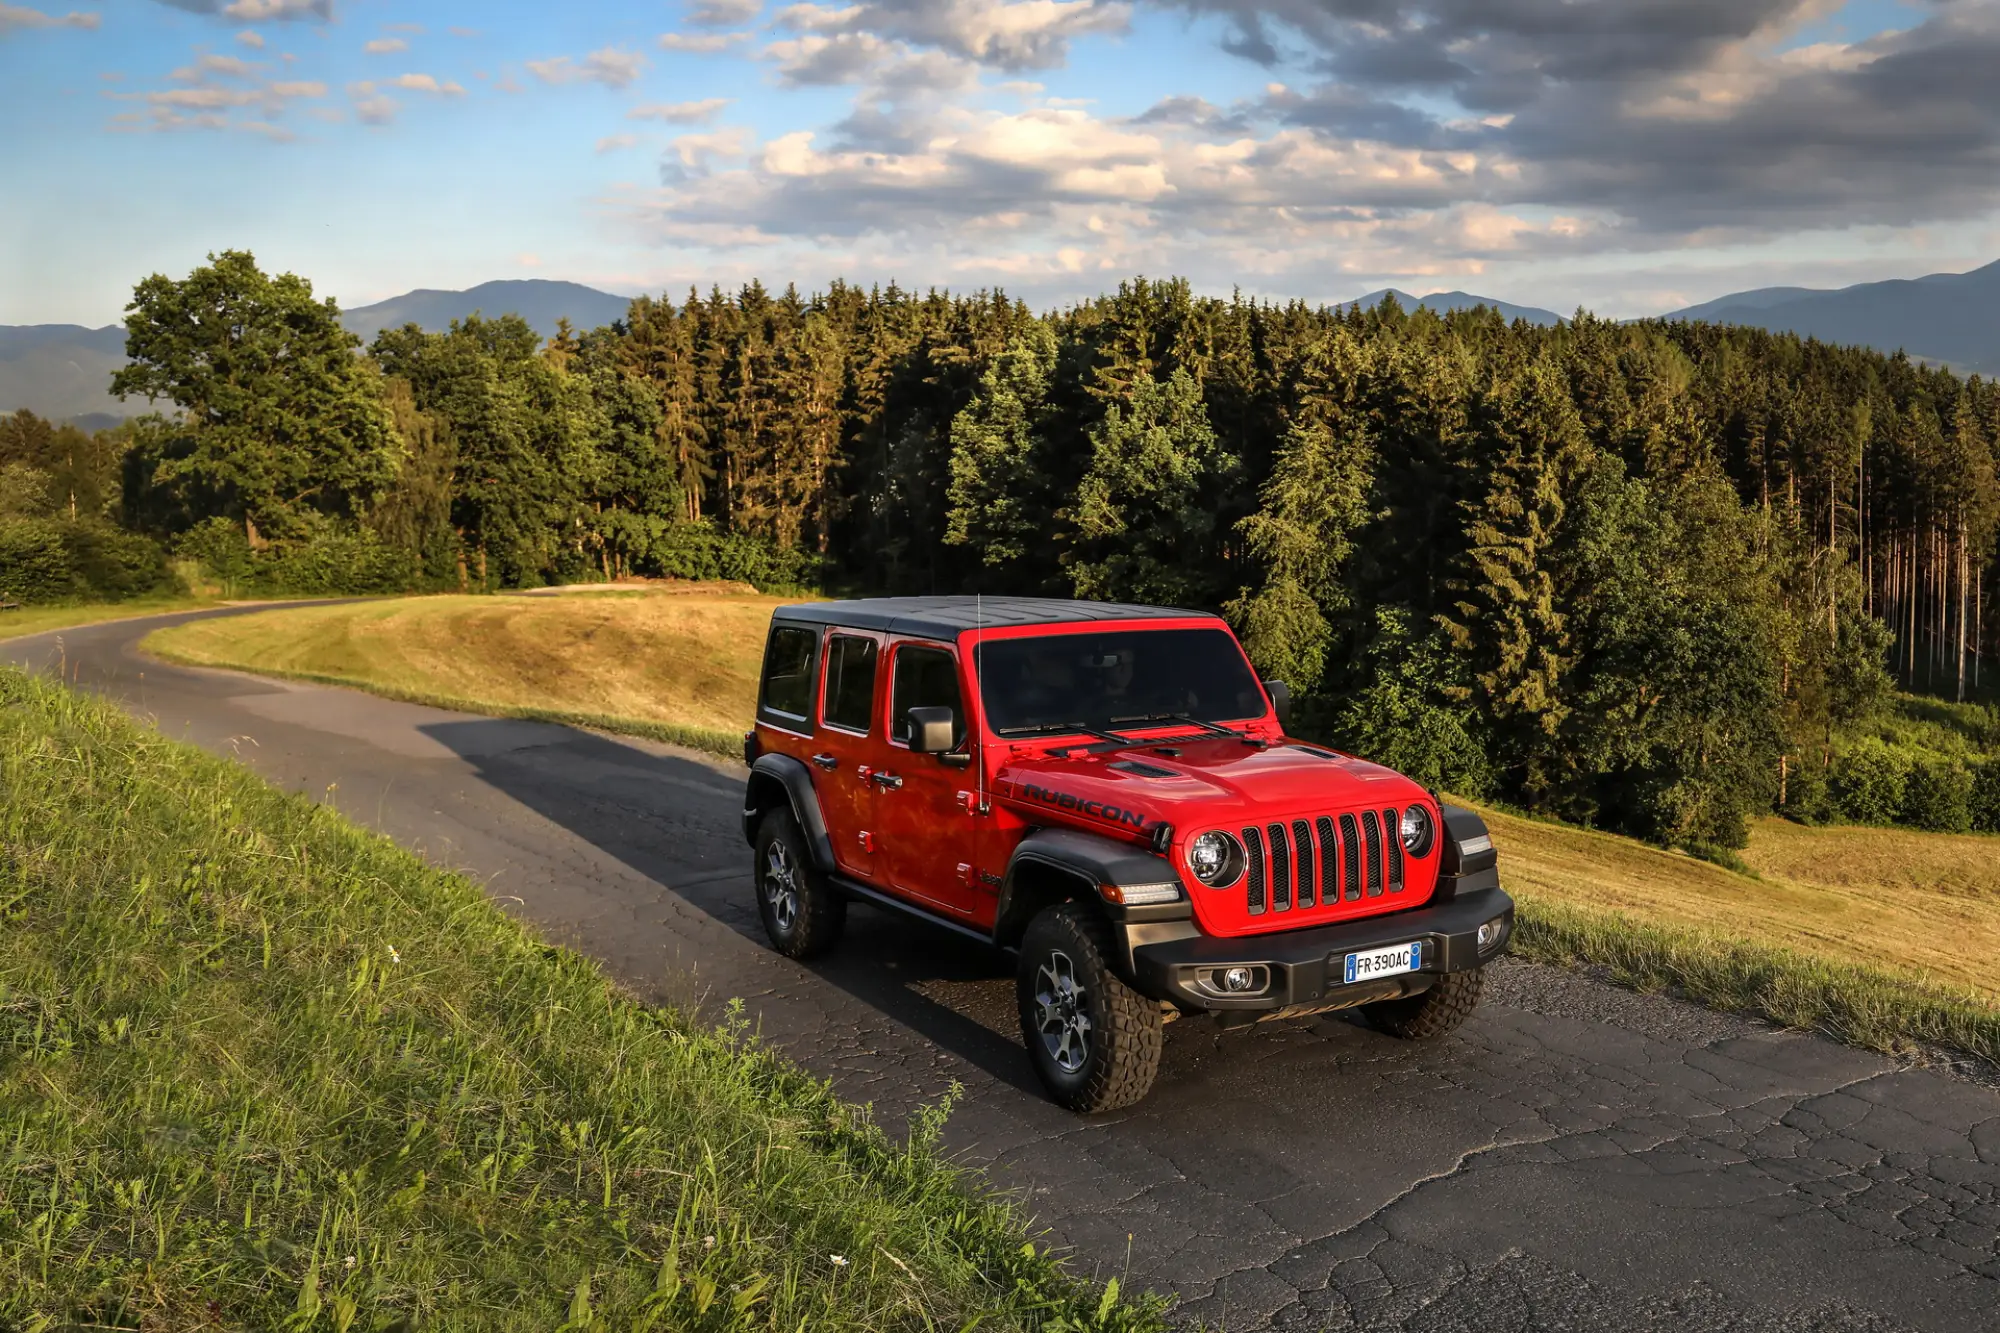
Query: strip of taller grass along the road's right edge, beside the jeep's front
{"x": 1861, "y": 1006}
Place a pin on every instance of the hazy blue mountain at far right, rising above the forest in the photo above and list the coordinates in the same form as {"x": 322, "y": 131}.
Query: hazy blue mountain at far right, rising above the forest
{"x": 1949, "y": 317}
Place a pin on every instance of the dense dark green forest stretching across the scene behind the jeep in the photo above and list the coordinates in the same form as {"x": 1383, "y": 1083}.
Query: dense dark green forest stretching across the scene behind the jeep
{"x": 1651, "y": 577}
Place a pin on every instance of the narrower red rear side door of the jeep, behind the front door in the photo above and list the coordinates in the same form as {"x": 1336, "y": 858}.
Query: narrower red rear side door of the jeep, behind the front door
{"x": 847, "y": 750}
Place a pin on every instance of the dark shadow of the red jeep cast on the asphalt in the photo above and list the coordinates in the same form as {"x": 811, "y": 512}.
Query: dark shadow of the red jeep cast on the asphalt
{"x": 679, "y": 824}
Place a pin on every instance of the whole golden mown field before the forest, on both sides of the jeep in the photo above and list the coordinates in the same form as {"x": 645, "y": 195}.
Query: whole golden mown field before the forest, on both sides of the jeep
{"x": 1909, "y": 922}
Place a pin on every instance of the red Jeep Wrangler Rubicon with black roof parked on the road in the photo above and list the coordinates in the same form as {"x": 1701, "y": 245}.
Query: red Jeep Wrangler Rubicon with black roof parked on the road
{"x": 1109, "y": 794}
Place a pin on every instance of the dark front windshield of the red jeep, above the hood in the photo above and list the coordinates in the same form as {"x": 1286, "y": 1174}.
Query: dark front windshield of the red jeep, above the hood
{"x": 1115, "y": 680}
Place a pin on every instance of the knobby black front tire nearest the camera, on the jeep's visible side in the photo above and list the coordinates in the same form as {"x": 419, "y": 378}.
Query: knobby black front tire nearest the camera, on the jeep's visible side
{"x": 1123, "y": 1046}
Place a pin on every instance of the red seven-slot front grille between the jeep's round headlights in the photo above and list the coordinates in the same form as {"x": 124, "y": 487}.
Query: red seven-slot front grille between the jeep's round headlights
{"x": 1323, "y": 862}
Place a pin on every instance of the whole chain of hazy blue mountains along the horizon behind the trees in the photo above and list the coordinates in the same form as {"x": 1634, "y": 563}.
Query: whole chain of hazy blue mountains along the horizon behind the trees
{"x": 63, "y": 371}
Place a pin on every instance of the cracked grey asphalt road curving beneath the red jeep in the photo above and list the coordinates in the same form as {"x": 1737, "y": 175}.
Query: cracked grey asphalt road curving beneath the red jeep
{"x": 1579, "y": 1158}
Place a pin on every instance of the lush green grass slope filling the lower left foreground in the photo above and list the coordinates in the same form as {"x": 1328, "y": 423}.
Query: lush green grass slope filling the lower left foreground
{"x": 265, "y": 1070}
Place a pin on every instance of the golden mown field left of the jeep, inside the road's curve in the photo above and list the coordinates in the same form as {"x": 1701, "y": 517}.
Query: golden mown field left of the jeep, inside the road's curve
{"x": 673, "y": 663}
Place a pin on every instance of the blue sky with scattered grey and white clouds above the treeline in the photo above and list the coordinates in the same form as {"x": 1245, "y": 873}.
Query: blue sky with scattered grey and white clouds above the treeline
{"x": 1623, "y": 155}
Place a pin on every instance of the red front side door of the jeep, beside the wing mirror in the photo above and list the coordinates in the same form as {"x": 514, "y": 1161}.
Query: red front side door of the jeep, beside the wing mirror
{"x": 923, "y": 816}
